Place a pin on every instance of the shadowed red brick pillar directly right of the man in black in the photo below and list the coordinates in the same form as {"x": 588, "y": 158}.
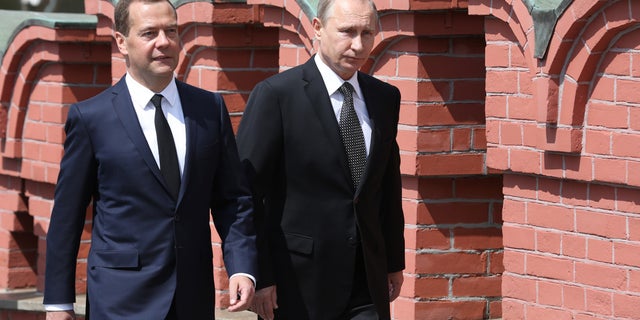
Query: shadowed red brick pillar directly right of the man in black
{"x": 452, "y": 204}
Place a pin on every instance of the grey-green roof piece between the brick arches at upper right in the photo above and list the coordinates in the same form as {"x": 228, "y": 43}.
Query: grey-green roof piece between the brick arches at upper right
{"x": 545, "y": 14}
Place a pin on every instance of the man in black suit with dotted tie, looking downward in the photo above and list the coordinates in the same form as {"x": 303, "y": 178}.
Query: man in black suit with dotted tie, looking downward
{"x": 327, "y": 191}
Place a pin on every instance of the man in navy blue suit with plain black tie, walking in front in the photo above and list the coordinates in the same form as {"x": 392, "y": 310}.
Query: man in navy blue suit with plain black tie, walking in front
{"x": 154, "y": 166}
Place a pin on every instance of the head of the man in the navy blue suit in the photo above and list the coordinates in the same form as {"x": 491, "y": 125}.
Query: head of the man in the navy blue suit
{"x": 152, "y": 45}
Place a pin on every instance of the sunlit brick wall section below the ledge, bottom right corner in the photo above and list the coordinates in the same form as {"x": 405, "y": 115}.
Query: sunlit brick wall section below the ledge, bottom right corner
{"x": 570, "y": 250}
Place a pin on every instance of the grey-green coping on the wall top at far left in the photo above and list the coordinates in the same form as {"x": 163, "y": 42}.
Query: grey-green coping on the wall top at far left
{"x": 13, "y": 22}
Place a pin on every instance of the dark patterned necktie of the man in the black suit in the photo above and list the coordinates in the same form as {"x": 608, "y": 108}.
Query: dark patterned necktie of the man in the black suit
{"x": 352, "y": 136}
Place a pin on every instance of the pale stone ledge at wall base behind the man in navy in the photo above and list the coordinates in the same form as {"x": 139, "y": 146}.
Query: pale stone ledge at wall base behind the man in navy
{"x": 31, "y": 300}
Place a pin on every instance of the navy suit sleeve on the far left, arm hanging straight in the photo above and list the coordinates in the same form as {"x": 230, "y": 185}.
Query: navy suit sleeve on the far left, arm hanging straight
{"x": 75, "y": 186}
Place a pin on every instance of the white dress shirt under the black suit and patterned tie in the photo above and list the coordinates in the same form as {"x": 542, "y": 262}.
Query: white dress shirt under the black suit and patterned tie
{"x": 333, "y": 82}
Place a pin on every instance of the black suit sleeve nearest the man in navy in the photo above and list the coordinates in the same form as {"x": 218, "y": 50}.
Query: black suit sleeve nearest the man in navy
{"x": 260, "y": 145}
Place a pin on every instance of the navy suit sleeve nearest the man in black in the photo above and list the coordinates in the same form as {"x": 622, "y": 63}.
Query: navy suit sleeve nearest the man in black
{"x": 231, "y": 203}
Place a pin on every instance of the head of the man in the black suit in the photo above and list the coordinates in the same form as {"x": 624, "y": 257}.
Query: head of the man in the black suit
{"x": 347, "y": 37}
